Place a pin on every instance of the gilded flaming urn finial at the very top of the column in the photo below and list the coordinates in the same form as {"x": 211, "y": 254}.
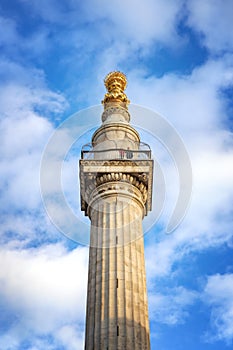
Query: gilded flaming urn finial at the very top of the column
{"x": 115, "y": 83}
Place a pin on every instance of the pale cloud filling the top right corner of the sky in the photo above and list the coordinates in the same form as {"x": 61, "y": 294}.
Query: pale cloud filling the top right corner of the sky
{"x": 213, "y": 19}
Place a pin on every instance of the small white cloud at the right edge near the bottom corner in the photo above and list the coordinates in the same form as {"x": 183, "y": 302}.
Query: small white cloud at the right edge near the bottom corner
{"x": 218, "y": 294}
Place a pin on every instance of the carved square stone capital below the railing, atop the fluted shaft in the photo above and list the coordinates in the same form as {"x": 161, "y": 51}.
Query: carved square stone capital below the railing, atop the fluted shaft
{"x": 94, "y": 173}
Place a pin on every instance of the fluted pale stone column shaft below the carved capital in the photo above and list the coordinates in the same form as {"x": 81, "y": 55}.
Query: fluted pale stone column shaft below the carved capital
{"x": 117, "y": 310}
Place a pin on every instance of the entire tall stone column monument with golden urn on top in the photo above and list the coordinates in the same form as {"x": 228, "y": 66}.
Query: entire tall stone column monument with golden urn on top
{"x": 116, "y": 174}
